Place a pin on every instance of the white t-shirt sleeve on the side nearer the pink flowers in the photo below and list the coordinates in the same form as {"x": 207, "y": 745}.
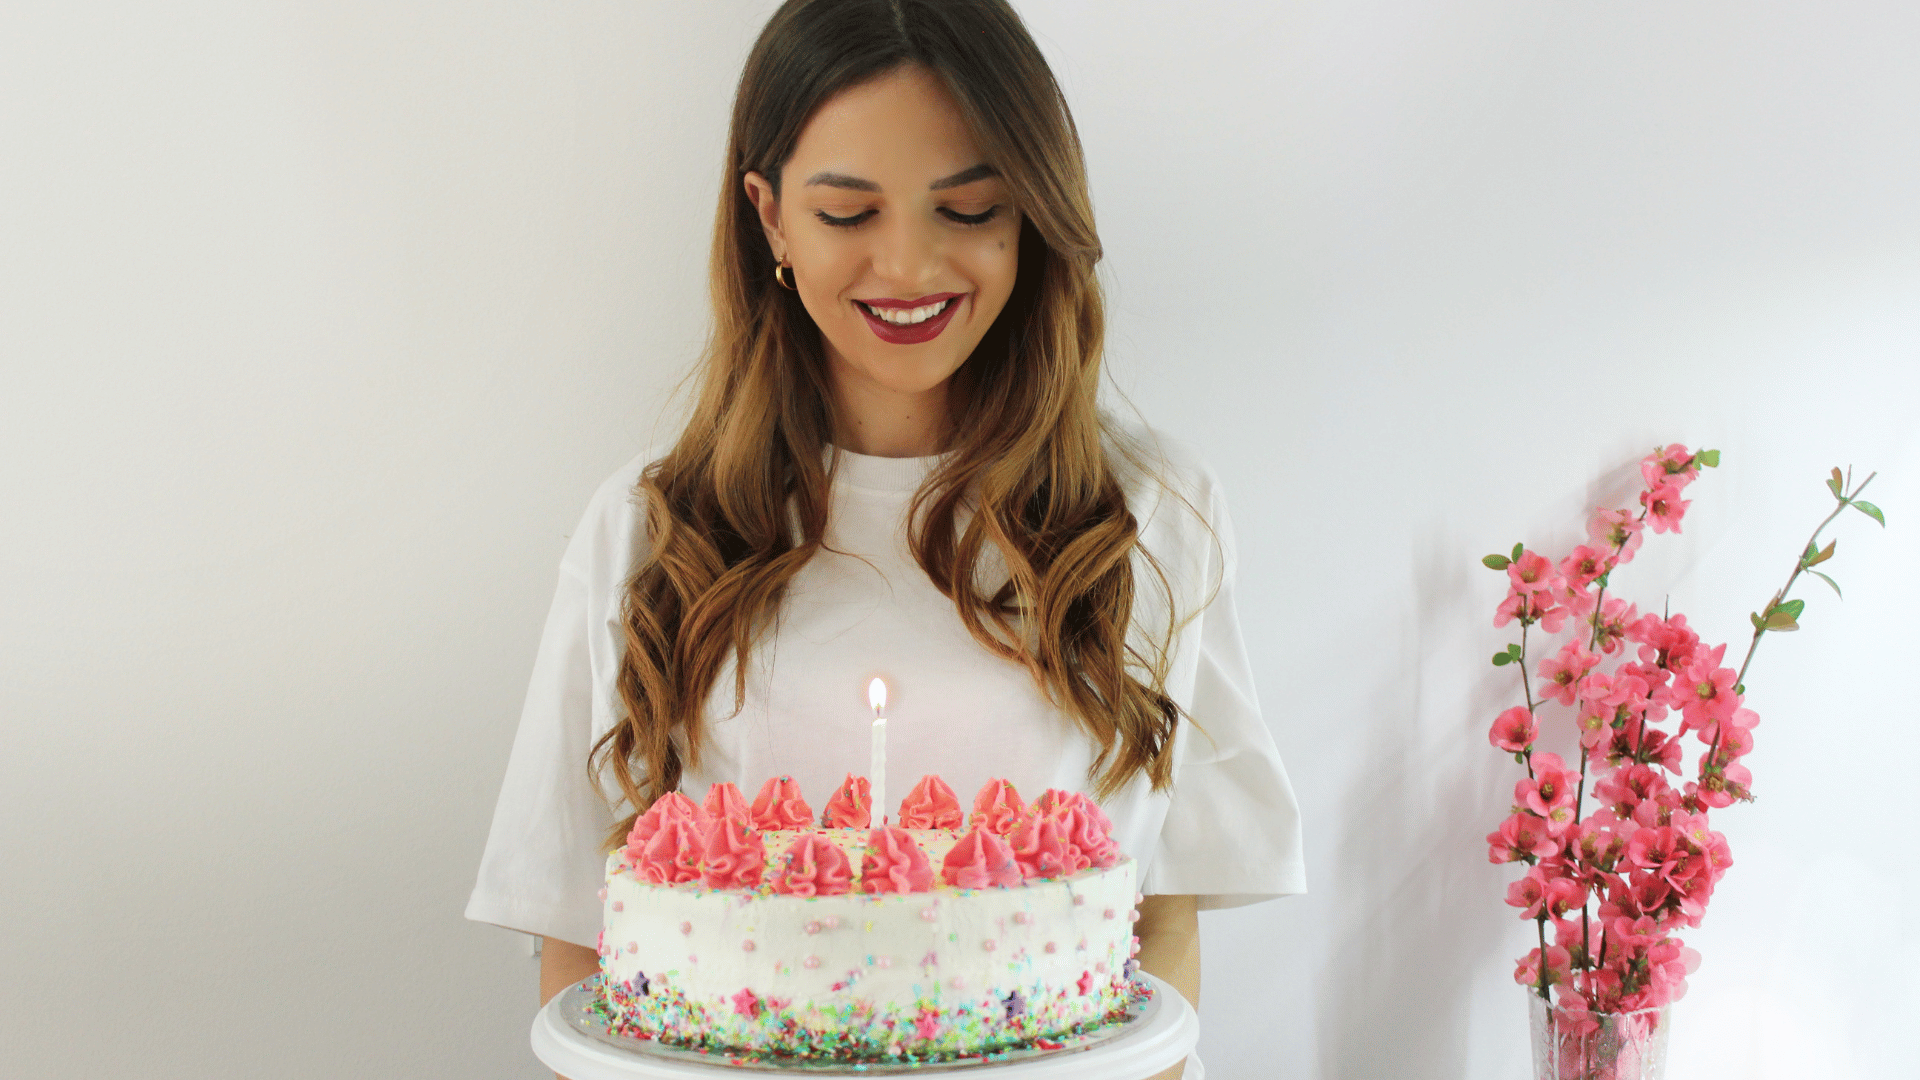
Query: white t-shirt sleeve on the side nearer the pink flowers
{"x": 1232, "y": 835}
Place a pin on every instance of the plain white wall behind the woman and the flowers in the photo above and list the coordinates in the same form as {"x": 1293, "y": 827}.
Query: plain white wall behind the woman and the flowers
{"x": 322, "y": 322}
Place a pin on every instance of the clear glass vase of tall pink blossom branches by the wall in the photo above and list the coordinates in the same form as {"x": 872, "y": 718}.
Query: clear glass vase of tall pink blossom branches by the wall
{"x": 1620, "y": 845}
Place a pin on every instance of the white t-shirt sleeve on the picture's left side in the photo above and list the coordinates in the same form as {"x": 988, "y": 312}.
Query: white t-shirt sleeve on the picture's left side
{"x": 542, "y": 870}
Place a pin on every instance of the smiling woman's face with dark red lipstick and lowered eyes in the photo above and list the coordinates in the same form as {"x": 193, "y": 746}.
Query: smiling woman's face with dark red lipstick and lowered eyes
{"x": 901, "y": 239}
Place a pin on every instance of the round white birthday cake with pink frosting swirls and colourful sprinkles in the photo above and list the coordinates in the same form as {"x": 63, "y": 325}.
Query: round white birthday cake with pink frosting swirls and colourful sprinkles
{"x": 757, "y": 931}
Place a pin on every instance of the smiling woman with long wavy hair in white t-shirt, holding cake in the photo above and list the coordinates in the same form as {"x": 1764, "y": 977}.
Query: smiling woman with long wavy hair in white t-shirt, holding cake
{"x": 896, "y": 466}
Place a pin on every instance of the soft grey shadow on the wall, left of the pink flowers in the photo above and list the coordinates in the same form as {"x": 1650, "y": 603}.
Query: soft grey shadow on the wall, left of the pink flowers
{"x": 1412, "y": 856}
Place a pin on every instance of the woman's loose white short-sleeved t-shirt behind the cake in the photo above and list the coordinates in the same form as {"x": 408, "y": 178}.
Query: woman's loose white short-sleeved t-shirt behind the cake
{"x": 1228, "y": 831}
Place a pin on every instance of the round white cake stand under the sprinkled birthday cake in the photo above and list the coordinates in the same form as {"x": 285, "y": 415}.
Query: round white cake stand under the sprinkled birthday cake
{"x": 1161, "y": 1037}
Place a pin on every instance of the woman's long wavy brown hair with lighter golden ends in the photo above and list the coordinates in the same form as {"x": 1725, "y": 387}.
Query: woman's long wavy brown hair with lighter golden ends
{"x": 1024, "y": 524}
